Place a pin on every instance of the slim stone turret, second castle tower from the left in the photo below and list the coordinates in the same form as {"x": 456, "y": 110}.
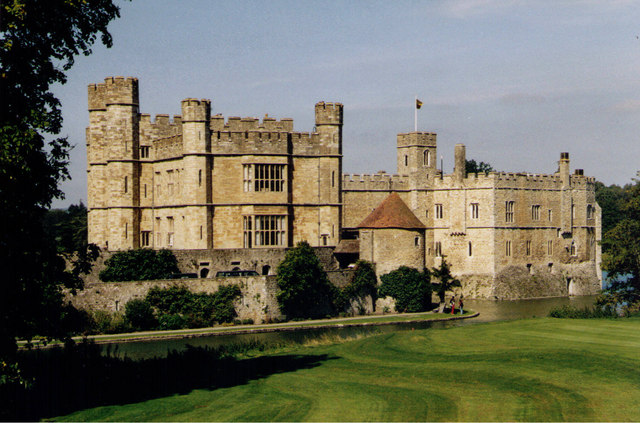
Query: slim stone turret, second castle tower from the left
{"x": 196, "y": 137}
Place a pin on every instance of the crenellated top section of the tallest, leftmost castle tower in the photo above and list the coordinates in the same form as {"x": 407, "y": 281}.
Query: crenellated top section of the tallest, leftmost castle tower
{"x": 115, "y": 90}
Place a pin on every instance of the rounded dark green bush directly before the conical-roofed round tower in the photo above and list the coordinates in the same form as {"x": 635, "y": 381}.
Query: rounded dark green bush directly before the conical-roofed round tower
{"x": 409, "y": 287}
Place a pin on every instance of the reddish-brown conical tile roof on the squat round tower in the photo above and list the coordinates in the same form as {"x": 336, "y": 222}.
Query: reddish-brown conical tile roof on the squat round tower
{"x": 392, "y": 213}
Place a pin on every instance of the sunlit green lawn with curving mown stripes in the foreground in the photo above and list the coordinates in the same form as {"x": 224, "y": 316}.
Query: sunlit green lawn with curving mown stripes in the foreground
{"x": 531, "y": 370}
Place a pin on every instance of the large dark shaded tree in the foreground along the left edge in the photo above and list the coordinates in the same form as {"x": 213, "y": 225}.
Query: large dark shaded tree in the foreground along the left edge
{"x": 38, "y": 42}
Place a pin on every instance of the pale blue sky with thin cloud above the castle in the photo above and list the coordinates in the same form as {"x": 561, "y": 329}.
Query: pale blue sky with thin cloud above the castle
{"x": 516, "y": 81}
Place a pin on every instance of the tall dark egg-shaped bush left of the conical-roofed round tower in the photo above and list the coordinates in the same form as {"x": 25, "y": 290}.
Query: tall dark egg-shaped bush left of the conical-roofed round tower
{"x": 305, "y": 290}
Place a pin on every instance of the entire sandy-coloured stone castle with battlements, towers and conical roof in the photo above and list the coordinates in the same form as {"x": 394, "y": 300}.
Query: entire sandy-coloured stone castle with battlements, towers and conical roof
{"x": 245, "y": 190}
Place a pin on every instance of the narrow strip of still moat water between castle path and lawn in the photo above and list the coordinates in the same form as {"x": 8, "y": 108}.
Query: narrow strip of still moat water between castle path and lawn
{"x": 489, "y": 311}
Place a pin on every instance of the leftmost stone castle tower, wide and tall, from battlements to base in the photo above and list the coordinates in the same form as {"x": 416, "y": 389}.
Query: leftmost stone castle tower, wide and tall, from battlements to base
{"x": 113, "y": 153}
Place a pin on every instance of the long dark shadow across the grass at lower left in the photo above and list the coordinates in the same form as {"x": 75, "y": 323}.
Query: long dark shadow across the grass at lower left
{"x": 78, "y": 377}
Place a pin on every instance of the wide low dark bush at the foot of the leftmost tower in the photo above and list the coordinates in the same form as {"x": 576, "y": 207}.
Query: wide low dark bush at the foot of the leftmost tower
{"x": 139, "y": 265}
